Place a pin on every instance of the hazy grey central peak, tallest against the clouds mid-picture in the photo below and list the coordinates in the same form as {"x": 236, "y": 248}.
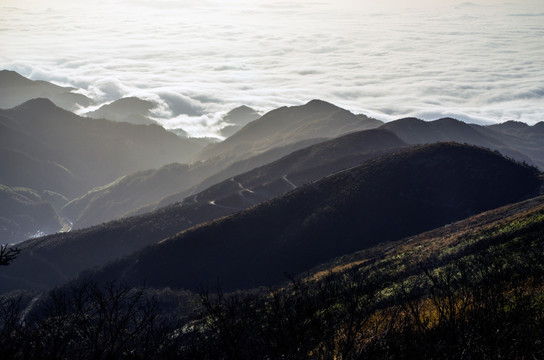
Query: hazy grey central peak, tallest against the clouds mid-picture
{"x": 288, "y": 125}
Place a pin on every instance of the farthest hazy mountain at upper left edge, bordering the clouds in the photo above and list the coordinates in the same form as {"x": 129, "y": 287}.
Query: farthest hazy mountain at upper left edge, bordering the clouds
{"x": 15, "y": 89}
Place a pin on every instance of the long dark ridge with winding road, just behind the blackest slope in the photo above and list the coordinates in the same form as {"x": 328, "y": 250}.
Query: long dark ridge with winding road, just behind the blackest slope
{"x": 51, "y": 260}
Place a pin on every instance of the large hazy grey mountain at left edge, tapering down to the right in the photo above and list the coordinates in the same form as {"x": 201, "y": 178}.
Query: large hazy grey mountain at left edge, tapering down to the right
{"x": 70, "y": 154}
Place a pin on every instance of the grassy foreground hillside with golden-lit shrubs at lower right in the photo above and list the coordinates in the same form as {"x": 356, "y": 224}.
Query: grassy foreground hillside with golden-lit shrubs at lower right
{"x": 472, "y": 289}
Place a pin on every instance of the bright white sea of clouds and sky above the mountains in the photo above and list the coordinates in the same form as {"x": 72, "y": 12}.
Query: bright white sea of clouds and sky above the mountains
{"x": 479, "y": 61}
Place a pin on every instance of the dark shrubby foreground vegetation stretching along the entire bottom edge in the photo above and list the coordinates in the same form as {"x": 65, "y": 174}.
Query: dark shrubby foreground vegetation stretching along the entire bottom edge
{"x": 469, "y": 290}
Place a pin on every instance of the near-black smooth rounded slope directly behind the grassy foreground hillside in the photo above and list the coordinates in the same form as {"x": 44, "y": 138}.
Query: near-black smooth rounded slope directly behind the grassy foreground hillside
{"x": 384, "y": 199}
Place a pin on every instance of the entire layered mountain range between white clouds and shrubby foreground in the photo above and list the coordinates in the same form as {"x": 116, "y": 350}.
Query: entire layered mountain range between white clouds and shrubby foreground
{"x": 299, "y": 190}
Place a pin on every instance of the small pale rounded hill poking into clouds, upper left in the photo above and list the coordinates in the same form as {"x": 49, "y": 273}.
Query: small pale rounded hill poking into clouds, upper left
{"x": 130, "y": 109}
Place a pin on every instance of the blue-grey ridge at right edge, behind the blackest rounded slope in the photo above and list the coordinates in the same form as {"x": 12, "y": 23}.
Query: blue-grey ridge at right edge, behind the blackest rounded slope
{"x": 416, "y": 131}
